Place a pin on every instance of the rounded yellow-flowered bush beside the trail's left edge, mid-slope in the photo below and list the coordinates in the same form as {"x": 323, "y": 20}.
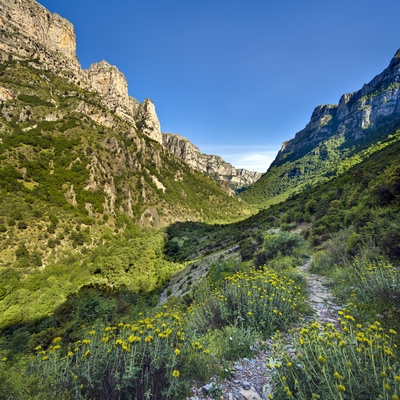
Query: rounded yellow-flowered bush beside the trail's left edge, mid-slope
{"x": 258, "y": 298}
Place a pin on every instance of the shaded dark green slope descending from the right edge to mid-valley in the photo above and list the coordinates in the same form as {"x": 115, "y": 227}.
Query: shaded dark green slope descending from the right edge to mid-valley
{"x": 359, "y": 208}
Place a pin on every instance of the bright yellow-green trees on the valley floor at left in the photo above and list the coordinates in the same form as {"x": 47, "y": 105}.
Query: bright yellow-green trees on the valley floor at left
{"x": 133, "y": 260}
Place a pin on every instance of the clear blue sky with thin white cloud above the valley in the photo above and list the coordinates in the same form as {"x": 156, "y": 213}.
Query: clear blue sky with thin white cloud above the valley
{"x": 237, "y": 77}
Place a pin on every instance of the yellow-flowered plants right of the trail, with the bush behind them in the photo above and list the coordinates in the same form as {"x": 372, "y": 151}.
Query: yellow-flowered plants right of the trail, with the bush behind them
{"x": 358, "y": 361}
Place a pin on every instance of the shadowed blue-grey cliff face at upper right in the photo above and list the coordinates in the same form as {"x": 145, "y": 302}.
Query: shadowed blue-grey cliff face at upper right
{"x": 357, "y": 114}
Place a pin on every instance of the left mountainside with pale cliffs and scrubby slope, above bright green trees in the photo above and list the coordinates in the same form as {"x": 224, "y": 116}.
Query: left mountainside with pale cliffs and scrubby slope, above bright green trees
{"x": 99, "y": 158}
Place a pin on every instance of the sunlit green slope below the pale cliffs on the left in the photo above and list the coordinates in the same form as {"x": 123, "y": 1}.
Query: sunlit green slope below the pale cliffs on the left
{"x": 82, "y": 203}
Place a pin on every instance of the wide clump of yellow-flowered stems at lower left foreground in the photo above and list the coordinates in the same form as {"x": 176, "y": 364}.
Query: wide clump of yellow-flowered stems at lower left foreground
{"x": 128, "y": 360}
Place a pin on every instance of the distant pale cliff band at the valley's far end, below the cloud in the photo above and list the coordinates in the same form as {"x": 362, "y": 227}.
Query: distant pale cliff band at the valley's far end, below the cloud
{"x": 211, "y": 165}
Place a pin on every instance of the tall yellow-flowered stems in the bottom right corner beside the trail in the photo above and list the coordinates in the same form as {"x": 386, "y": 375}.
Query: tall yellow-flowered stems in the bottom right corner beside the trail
{"x": 356, "y": 362}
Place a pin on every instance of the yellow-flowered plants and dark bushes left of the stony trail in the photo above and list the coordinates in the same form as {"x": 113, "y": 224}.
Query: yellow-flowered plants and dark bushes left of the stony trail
{"x": 162, "y": 350}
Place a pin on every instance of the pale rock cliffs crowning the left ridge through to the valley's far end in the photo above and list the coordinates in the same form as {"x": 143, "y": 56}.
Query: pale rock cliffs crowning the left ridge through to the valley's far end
{"x": 30, "y": 31}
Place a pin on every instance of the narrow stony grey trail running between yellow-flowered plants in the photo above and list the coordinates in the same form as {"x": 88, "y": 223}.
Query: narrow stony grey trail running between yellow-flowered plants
{"x": 251, "y": 377}
